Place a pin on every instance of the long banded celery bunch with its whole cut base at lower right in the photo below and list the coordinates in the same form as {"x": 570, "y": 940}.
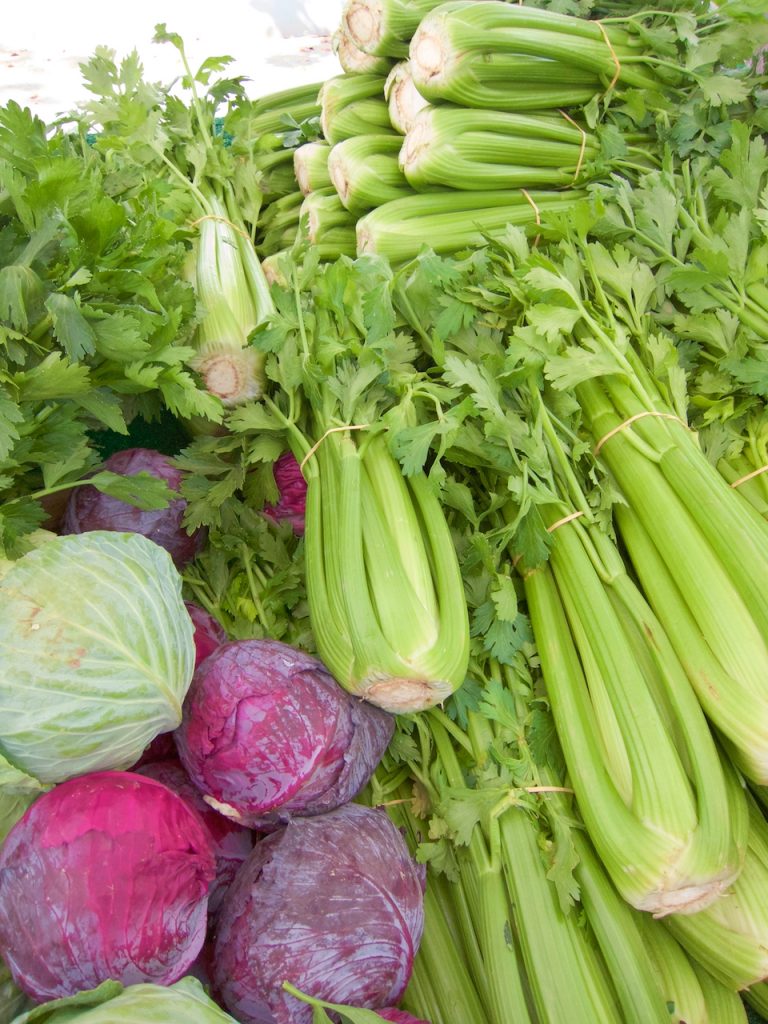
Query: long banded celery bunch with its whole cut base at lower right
{"x": 664, "y": 812}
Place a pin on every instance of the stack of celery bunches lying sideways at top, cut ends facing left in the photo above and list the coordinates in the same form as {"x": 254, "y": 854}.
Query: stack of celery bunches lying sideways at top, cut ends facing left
{"x": 506, "y": 112}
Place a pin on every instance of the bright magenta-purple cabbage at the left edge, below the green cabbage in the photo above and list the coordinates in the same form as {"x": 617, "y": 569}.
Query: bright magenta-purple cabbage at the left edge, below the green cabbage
{"x": 106, "y": 876}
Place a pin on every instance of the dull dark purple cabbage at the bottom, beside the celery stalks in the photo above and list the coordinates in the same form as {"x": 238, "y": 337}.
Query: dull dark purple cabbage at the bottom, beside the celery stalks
{"x": 332, "y": 904}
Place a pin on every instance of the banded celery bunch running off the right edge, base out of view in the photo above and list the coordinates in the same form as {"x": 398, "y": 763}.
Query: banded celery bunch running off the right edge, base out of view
{"x": 700, "y": 550}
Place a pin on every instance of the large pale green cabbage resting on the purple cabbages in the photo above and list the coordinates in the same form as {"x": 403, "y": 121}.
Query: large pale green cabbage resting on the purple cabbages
{"x": 97, "y": 654}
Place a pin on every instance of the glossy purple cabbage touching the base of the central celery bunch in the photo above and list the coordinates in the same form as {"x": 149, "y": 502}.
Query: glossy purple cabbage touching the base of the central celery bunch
{"x": 268, "y": 735}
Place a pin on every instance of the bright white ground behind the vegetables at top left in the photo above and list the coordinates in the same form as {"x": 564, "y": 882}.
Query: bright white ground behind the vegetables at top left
{"x": 275, "y": 44}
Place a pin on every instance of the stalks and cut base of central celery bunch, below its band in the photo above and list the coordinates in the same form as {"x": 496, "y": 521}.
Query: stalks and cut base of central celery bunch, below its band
{"x": 386, "y": 594}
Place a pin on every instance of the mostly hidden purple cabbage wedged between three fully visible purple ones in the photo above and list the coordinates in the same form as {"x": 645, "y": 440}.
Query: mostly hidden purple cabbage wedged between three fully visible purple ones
{"x": 231, "y": 843}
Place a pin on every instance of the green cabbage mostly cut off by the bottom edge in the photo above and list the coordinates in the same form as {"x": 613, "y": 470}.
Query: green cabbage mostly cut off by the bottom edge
{"x": 185, "y": 1003}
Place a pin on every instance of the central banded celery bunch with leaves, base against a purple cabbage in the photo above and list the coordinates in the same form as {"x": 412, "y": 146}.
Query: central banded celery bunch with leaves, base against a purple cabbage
{"x": 387, "y": 603}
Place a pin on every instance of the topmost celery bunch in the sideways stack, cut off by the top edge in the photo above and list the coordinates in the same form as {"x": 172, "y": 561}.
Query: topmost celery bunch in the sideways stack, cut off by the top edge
{"x": 385, "y": 27}
